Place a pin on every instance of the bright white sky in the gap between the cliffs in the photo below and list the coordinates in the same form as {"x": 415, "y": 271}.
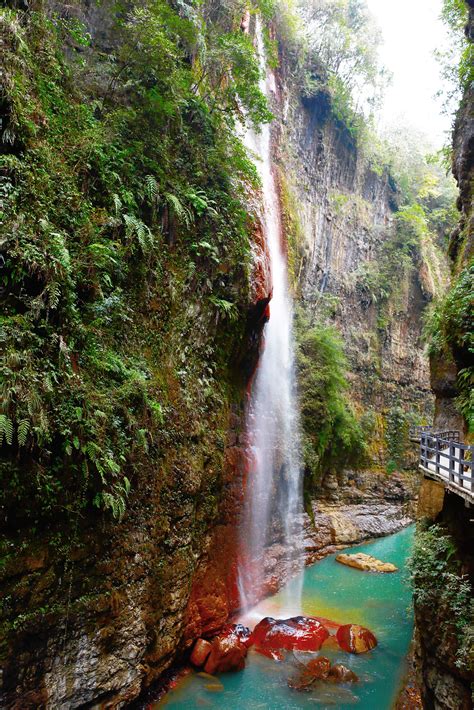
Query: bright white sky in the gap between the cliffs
{"x": 411, "y": 32}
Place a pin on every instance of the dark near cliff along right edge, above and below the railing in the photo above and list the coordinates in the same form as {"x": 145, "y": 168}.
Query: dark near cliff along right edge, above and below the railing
{"x": 444, "y": 639}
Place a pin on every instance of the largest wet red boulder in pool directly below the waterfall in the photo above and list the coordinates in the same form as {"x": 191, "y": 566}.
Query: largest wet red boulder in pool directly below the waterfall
{"x": 300, "y": 633}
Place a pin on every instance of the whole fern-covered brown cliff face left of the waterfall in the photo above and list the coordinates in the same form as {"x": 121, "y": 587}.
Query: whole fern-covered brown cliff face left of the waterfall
{"x": 94, "y": 602}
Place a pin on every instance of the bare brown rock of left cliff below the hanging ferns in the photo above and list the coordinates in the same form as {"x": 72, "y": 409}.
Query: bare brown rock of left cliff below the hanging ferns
{"x": 94, "y": 609}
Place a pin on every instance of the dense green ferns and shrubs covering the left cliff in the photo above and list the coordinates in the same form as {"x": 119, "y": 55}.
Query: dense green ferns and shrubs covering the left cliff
{"x": 123, "y": 195}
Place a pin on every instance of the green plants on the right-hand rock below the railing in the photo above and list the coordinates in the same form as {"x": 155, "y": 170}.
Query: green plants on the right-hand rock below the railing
{"x": 438, "y": 583}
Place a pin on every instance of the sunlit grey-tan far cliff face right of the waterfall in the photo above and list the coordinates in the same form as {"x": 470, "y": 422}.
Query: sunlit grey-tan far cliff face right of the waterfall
{"x": 346, "y": 207}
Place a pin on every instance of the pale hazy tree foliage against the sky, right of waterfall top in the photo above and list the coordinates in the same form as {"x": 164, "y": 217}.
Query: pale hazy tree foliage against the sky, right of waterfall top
{"x": 333, "y": 48}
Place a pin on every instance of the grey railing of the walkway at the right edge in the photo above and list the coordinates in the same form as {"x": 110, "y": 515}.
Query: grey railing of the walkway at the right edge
{"x": 445, "y": 458}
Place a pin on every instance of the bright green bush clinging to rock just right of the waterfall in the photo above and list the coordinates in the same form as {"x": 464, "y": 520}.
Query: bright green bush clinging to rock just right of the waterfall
{"x": 331, "y": 434}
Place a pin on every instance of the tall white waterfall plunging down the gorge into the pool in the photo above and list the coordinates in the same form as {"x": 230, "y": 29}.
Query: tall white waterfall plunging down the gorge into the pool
{"x": 273, "y": 494}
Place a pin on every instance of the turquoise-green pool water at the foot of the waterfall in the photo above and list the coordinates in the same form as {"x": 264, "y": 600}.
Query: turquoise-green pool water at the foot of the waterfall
{"x": 380, "y": 602}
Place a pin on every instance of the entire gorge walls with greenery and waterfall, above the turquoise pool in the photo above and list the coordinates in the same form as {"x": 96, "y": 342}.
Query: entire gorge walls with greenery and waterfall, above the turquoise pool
{"x": 217, "y": 292}
